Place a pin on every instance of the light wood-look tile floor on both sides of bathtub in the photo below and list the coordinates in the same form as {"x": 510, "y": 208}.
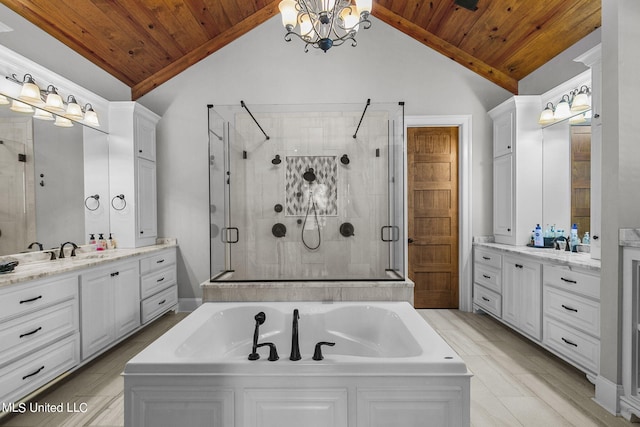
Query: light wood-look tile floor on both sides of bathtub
{"x": 515, "y": 382}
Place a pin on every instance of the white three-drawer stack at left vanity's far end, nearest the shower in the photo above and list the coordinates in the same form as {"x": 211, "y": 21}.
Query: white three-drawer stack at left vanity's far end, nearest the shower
{"x": 158, "y": 285}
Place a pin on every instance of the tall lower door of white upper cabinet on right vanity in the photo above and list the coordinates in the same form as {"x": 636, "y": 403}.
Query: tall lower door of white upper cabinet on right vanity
{"x": 503, "y": 196}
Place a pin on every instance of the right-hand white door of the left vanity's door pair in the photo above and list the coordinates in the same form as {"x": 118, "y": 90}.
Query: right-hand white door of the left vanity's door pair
{"x": 126, "y": 286}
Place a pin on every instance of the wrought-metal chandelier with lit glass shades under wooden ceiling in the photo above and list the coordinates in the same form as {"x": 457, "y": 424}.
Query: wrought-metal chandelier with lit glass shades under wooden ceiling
{"x": 324, "y": 23}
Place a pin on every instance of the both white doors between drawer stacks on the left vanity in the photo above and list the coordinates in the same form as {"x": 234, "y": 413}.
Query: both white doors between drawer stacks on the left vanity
{"x": 110, "y": 305}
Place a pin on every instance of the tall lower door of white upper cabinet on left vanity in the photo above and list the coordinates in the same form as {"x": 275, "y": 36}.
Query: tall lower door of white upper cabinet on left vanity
{"x": 146, "y": 198}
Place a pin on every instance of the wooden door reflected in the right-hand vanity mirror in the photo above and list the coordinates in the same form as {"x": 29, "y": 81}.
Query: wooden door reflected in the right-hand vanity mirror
{"x": 581, "y": 178}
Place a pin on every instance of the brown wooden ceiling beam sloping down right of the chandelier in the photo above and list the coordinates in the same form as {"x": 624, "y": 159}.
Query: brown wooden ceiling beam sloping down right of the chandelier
{"x": 458, "y": 55}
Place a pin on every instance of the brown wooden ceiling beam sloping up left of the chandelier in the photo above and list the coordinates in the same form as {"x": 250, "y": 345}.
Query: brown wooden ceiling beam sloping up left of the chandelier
{"x": 194, "y": 56}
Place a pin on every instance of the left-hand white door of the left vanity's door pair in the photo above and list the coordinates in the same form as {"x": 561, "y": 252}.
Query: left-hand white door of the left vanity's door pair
{"x": 96, "y": 295}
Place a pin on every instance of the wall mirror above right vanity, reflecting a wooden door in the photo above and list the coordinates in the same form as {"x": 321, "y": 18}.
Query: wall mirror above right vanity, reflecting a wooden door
{"x": 566, "y": 167}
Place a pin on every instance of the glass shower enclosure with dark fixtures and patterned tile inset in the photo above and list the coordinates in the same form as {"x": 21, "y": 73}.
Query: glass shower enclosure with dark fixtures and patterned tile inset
{"x": 307, "y": 192}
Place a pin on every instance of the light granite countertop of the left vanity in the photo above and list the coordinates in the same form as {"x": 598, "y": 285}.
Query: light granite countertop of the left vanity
{"x": 36, "y": 265}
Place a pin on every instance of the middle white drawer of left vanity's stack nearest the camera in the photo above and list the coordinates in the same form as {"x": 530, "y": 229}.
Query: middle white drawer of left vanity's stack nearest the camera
{"x": 30, "y": 332}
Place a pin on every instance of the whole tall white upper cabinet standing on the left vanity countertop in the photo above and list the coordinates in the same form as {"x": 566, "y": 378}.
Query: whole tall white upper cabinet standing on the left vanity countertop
{"x": 132, "y": 174}
